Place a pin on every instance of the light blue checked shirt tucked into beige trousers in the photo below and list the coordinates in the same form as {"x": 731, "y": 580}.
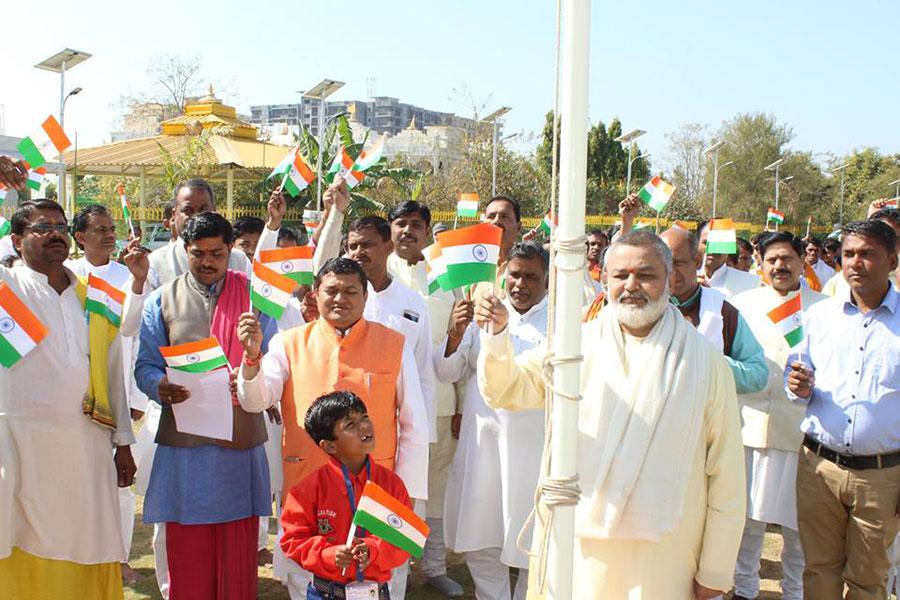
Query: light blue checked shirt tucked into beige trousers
{"x": 855, "y": 405}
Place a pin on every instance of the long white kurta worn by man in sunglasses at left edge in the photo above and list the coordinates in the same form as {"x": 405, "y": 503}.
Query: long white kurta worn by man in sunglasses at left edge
{"x": 58, "y": 487}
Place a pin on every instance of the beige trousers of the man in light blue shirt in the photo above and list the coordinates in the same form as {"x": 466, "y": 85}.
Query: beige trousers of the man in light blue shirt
{"x": 847, "y": 523}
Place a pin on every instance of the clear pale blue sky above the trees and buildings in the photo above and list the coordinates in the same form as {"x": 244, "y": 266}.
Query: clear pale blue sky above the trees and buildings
{"x": 829, "y": 69}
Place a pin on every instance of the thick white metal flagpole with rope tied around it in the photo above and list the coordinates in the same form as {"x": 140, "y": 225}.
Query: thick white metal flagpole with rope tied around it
{"x": 574, "y": 69}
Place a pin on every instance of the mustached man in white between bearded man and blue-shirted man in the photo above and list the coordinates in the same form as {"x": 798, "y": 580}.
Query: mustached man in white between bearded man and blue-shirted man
{"x": 771, "y": 423}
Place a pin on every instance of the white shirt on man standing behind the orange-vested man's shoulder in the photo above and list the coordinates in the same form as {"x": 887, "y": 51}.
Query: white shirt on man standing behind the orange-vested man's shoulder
{"x": 404, "y": 311}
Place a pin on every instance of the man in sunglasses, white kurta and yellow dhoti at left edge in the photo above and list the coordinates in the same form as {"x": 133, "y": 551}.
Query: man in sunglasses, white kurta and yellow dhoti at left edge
{"x": 59, "y": 508}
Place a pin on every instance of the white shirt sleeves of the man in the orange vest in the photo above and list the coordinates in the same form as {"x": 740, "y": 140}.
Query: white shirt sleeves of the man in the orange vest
{"x": 264, "y": 390}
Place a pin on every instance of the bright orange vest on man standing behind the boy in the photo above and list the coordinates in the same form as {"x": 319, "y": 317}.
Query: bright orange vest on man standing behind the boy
{"x": 366, "y": 362}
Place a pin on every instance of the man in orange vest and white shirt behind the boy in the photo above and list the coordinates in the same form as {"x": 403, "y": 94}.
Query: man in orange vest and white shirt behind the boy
{"x": 340, "y": 351}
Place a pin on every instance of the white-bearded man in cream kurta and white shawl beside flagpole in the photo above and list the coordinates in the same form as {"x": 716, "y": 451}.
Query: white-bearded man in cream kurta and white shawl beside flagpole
{"x": 659, "y": 451}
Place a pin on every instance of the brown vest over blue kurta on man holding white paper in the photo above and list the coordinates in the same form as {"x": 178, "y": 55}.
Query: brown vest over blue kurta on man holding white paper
{"x": 187, "y": 310}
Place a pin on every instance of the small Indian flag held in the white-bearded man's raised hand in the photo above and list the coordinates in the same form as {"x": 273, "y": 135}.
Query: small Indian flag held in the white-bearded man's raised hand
{"x": 471, "y": 254}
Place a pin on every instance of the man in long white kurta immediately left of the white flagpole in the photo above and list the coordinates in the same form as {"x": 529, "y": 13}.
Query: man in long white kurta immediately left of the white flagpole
{"x": 497, "y": 462}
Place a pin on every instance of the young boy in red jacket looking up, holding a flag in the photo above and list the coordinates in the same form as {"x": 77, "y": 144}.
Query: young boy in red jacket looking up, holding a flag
{"x": 318, "y": 512}
